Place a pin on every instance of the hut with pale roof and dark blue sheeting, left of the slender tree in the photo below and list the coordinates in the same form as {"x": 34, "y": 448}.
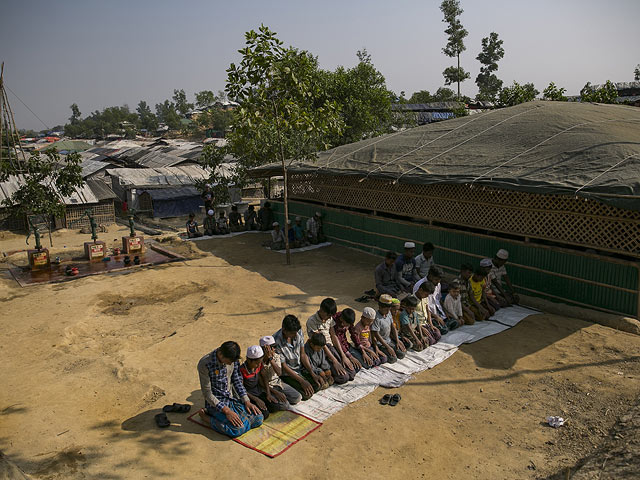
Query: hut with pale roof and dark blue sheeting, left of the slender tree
{"x": 130, "y": 183}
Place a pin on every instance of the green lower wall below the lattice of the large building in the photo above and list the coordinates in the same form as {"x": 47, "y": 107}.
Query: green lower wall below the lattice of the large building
{"x": 377, "y": 235}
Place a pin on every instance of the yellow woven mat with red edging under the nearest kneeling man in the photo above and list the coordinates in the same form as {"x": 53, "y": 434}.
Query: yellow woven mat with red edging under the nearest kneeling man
{"x": 276, "y": 435}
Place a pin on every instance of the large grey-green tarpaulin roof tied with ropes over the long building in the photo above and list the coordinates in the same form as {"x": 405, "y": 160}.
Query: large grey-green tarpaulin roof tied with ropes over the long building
{"x": 584, "y": 149}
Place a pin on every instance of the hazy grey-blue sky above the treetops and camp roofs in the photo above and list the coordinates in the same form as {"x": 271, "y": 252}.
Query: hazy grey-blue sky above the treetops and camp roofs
{"x": 105, "y": 53}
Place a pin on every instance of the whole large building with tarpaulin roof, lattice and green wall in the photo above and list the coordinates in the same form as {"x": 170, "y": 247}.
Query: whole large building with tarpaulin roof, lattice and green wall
{"x": 557, "y": 184}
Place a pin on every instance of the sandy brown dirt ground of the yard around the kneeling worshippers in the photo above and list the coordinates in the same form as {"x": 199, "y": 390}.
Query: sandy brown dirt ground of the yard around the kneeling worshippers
{"x": 88, "y": 363}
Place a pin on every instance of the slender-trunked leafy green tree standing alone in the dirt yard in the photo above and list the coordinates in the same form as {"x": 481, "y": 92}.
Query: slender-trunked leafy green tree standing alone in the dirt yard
{"x": 281, "y": 117}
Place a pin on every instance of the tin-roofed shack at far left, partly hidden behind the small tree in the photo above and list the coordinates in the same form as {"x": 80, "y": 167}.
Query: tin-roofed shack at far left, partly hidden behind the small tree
{"x": 94, "y": 195}
